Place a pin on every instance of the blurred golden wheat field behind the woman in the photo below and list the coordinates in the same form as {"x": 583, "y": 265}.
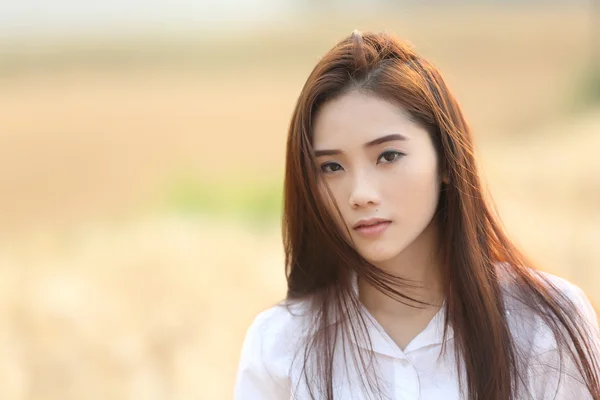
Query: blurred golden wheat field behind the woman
{"x": 111, "y": 289}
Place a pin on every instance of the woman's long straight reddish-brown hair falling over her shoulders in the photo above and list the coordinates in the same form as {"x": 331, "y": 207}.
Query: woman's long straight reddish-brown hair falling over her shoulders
{"x": 320, "y": 262}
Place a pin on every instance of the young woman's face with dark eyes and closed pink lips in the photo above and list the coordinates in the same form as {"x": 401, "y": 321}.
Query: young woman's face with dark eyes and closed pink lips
{"x": 378, "y": 163}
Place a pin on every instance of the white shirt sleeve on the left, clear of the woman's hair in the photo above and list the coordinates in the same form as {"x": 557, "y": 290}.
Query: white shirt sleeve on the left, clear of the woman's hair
{"x": 254, "y": 381}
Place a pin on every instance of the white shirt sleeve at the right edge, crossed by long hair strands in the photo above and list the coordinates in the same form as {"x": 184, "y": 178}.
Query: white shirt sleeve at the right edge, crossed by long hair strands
{"x": 556, "y": 377}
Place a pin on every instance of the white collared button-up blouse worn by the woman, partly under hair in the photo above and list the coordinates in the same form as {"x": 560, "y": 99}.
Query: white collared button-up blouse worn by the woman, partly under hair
{"x": 270, "y": 363}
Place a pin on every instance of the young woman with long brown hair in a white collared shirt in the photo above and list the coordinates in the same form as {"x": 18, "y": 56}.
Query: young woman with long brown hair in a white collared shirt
{"x": 401, "y": 282}
